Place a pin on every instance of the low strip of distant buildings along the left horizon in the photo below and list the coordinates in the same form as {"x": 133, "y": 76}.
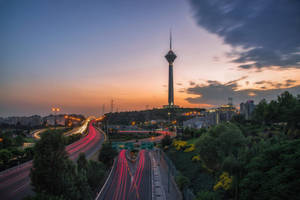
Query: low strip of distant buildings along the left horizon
{"x": 36, "y": 120}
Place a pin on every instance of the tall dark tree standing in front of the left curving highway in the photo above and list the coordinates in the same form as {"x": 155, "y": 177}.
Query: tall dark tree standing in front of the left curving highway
{"x": 52, "y": 173}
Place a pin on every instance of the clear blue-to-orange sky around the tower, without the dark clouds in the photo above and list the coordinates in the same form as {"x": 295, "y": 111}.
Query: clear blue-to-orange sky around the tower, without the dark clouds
{"x": 81, "y": 54}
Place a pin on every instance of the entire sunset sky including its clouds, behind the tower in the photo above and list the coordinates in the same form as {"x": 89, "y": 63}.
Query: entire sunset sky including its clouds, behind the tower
{"x": 78, "y": 55}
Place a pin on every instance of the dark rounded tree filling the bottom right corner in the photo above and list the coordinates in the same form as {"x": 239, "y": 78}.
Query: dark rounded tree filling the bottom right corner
{"x": 273, "y": 173}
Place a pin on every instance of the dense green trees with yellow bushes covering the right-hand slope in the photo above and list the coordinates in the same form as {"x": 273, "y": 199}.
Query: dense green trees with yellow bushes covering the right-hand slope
{"x": 243, "y": 159}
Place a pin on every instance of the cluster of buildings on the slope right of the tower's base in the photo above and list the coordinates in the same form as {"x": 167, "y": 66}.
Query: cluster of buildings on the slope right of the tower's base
{"x": 212, "y": 117}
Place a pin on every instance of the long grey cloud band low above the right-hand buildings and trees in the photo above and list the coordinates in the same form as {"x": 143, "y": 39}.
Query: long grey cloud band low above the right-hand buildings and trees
{"x": 216, "y": 93}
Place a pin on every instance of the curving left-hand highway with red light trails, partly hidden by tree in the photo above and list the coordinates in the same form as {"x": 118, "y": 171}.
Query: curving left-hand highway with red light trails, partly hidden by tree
{"x": 15, "y": 182}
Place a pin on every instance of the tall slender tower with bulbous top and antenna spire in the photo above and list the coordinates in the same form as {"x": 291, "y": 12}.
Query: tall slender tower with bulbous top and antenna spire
{"x": 170, "y": 58}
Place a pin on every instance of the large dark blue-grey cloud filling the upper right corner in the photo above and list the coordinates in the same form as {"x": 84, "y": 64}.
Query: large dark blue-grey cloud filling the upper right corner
{"x": 267, "y": 31}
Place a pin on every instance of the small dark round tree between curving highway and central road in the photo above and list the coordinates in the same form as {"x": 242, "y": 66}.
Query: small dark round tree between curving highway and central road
{"x": 107, "y": 154}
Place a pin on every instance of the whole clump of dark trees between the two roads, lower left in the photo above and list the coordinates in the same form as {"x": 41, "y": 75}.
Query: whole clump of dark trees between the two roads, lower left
{"x": 55, "y": 176}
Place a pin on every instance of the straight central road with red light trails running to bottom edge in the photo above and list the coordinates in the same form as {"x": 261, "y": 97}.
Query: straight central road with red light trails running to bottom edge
{"x": 129, "y": 180}
